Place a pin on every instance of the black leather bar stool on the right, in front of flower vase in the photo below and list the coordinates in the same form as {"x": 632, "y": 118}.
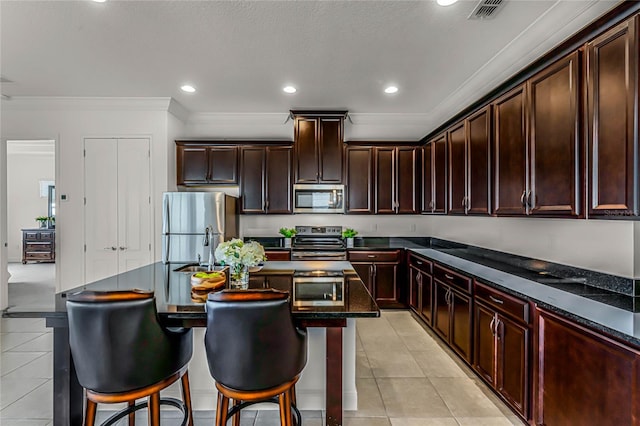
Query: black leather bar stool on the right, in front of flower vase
{"x": 254, "y": 350}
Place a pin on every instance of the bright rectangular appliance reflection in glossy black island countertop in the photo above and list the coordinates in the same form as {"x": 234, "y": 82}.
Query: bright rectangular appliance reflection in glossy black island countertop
{"x": 318, "y": 291}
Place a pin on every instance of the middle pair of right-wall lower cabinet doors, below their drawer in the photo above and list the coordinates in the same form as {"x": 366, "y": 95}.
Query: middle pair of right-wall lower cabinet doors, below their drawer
{"x": 452, "y": 318}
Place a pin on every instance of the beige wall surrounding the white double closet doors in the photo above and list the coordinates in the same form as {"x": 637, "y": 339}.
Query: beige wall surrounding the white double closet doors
{"x": 69, "y": 121}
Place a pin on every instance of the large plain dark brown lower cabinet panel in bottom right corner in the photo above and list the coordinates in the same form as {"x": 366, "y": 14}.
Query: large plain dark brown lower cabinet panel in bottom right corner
{"x": 584, "y": 377}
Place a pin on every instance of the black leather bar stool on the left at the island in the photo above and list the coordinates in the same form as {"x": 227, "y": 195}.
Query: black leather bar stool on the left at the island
{"x": 122, "y": 353}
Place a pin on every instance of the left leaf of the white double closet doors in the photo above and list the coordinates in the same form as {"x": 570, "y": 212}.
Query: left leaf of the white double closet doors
{"x": 101, "y": 208}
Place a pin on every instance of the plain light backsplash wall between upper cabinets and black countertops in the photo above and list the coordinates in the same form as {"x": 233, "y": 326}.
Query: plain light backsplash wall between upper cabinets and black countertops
{"x": 599, "y": 245}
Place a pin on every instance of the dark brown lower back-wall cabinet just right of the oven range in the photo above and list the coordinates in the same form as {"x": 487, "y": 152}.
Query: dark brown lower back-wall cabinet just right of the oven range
{"x": 379, "y": 270}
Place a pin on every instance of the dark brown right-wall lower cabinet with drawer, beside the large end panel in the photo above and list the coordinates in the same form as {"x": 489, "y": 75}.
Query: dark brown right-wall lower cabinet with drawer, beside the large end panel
{"x": 501, "y": 345}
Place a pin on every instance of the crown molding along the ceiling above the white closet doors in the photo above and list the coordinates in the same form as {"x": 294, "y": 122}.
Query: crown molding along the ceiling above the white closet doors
{"x": 63, "y": 103}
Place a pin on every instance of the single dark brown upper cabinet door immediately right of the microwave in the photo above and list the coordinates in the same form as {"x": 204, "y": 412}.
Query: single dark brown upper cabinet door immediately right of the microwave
{"x": 360, "y": 180}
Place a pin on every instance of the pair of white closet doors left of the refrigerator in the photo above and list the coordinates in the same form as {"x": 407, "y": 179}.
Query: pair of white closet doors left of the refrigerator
{"x": 117, "y": 209}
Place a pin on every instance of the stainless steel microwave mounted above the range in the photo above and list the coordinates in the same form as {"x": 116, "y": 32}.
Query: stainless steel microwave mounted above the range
{"x": 315, "y": 198}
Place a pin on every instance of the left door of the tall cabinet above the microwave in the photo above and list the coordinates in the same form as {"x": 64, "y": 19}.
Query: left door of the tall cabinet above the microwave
{"x": 306, "y": 150}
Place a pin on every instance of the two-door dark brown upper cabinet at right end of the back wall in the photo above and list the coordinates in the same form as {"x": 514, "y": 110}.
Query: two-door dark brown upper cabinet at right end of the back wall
{"x": 396, "y": 178}
